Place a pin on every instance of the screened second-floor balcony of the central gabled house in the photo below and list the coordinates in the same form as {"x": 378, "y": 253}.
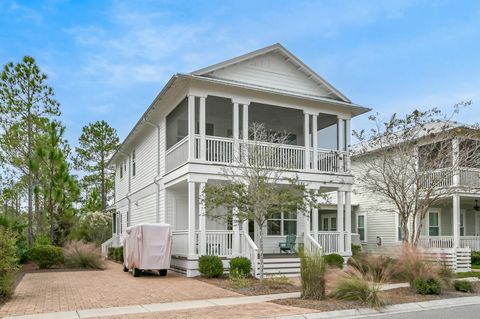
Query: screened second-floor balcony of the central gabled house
{"x": 211, "y": 131}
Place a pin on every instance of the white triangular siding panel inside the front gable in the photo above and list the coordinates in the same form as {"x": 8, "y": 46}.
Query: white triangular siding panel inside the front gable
{"x": 270, "y": 70}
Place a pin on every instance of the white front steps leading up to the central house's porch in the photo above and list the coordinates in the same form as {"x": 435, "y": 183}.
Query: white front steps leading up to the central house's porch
{"x": 285, "y": 265}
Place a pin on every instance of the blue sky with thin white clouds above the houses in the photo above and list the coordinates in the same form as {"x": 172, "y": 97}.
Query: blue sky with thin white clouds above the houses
{"x": 109, "y": 59}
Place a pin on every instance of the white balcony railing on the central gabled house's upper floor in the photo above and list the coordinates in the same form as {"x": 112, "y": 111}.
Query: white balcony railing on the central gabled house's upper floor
{"x": 226, "y": 151}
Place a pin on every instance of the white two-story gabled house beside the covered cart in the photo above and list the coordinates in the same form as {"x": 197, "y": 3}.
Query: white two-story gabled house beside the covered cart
{"x": 189, "y": 133}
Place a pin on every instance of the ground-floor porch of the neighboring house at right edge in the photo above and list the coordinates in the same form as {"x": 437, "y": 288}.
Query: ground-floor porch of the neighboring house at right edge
{"x": 454, "y": 223}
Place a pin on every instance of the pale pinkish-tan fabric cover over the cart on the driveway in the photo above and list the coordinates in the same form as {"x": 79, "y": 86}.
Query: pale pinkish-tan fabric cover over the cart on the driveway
{"x": 148, "y": 246}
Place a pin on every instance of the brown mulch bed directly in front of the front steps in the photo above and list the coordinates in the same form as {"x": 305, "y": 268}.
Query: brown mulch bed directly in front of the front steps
{"x": 255, "y": 287}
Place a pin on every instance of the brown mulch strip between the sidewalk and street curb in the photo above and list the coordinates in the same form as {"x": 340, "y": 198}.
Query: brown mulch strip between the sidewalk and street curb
{"x": 394, "y": 296}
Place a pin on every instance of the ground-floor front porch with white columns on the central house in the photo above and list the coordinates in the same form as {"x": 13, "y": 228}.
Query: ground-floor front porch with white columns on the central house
{"x": 195, "y": 234}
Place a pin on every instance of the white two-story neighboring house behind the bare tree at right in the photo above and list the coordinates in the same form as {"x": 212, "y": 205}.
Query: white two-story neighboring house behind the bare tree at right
{"x": 452, "y": 224}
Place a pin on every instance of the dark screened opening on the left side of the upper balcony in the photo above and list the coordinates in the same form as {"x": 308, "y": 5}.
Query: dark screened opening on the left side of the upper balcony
{"x": 177, "y": 123}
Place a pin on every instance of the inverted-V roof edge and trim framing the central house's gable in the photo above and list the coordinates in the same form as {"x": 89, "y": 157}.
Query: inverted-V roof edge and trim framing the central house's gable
{"x": 289, "y": 58}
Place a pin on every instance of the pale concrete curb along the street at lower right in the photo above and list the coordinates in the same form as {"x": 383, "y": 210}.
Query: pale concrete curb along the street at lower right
{"x": 393, "y": 309}
